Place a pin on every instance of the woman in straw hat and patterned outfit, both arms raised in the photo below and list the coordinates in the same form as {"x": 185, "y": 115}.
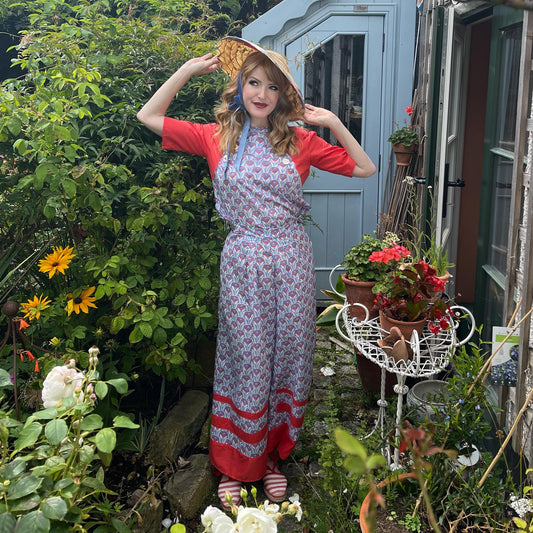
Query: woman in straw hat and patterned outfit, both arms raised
{"x": 266, "y": 336}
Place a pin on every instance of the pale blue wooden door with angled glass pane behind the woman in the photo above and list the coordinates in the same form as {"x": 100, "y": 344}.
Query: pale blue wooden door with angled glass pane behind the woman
{"x": 341, "y": 70}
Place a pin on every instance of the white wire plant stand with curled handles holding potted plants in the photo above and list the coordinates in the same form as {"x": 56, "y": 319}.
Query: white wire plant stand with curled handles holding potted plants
{"x": 431, "y": 353}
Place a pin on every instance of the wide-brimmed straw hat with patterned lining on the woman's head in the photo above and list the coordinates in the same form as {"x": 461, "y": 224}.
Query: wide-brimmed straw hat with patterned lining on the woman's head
{"x": 232, "y": 51}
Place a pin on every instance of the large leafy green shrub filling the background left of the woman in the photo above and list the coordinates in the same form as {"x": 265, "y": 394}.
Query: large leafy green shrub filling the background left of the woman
{"x": 79, "y": 170}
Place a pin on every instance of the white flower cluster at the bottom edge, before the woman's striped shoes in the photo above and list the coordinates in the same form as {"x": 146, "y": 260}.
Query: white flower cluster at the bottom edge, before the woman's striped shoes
{"x": 262, "y": 519}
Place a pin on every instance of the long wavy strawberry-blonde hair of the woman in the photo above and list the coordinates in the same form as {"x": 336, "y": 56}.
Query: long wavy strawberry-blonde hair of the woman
{"x": 282, "y": 138}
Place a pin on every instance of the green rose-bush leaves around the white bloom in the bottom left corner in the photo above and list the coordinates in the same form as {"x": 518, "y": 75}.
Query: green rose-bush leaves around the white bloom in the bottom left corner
{"x": 51, "y": 463}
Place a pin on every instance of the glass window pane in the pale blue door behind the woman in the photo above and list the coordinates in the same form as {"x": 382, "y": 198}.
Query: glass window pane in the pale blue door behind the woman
{"x": 333, "y": 79}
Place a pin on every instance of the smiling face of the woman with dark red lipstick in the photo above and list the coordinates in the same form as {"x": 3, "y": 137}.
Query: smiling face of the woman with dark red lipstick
{"x": 260, "y": 96}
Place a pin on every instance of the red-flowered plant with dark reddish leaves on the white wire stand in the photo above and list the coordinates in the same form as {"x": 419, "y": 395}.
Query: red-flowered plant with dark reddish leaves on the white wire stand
{"x": 410, "y": 294}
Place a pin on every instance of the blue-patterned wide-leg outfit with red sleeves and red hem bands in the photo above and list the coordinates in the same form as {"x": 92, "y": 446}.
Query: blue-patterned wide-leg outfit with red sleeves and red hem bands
{"x": 267, "y": 310}
